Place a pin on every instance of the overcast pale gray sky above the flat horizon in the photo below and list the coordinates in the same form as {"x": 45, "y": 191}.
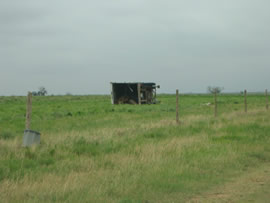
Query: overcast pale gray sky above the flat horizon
{"x": 81, "y": 46}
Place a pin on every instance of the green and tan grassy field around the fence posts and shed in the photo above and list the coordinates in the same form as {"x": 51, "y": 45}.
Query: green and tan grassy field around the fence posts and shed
{"x": 92, "y": 151}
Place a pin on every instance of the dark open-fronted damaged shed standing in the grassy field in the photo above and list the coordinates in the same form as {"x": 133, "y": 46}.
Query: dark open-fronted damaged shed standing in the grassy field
{"x": 134, "y": 93}
